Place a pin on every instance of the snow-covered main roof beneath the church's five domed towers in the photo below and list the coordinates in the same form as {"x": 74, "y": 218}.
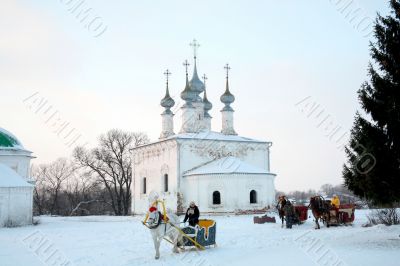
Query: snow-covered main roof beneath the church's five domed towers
{"x": 212, "y": 135}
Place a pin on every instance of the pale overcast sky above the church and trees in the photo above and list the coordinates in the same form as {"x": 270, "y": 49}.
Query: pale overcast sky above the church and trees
{"x": 287, "y": 58}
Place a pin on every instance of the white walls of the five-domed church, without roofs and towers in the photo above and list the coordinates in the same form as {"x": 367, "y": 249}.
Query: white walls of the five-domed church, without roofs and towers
{"x": 177, "y": 156}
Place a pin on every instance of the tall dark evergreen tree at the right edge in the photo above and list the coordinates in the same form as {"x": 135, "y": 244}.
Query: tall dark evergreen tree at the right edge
{"x": 373, "y": 169}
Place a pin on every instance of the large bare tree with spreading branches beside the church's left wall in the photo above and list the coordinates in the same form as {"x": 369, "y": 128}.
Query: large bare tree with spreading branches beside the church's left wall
{"x": 111, "y": 164}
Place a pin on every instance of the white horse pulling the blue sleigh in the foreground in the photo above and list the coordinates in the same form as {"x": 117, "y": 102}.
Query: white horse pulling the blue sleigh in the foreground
{"x": 160, "y": 229}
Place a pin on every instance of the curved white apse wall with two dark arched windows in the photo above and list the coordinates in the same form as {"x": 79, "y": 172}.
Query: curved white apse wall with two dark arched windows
{"x": 234, "y": 190}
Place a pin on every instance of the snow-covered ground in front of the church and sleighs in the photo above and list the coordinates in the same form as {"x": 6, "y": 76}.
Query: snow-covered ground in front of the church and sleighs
{"x": 125, "y": 241}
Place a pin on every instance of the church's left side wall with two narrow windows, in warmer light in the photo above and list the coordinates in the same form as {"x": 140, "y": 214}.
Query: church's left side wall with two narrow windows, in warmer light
{"x": 153, "y": 162}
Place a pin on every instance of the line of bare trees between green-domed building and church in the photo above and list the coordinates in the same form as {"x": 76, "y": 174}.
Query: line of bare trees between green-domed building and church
{"x": 92, "y": 182}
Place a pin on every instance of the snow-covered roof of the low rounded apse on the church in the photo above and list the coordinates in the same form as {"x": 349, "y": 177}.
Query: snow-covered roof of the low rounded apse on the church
{"x": 226, "y": 165}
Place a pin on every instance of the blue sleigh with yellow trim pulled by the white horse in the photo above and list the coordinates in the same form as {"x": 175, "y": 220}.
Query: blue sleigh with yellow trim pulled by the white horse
{"x": 202, "y": 234}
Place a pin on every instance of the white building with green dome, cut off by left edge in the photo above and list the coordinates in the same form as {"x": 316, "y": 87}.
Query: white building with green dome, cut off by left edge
{"x": 16, "y": 187}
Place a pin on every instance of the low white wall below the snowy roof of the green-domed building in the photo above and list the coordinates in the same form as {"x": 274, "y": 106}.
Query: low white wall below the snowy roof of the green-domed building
{"x": 16, "y": 206}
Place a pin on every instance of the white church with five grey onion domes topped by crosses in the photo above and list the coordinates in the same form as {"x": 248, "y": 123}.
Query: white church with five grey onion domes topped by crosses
{"x": 221, "y": 172}
